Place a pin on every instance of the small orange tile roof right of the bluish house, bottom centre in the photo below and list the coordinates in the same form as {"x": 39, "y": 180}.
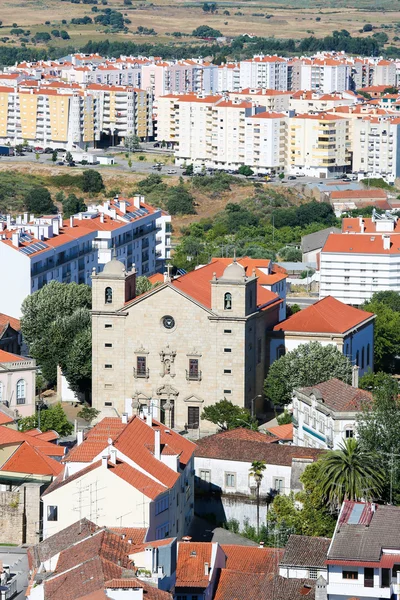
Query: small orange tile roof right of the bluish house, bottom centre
{"x": 191, "y": 559}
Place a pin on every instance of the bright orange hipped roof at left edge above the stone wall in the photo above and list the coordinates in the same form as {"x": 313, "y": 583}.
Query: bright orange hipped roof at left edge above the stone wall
{"x": 29, "y": 460}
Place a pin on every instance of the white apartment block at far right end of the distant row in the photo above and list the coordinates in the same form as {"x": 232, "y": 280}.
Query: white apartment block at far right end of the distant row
{"x": 375, "y": 146}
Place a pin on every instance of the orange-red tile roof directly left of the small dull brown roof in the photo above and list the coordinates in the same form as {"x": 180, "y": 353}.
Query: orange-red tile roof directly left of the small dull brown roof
{"x": 249, "y": 559}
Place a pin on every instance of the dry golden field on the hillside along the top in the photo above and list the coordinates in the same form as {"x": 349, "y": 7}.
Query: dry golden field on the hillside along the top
{"x": 286, "y": 20}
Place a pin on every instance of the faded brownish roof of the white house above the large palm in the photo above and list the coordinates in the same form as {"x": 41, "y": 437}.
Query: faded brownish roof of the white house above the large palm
{"x": 339, "y": 396}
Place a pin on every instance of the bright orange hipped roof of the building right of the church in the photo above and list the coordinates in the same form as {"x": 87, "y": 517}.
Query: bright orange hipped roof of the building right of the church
{"x": 325, "y": 316}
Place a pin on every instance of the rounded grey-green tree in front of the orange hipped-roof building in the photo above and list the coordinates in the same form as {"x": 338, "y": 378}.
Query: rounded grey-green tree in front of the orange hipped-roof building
{"x": 306, "y": 365}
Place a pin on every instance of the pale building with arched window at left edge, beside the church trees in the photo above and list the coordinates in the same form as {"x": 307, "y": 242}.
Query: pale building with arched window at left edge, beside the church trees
{"x": 18, "y": 383}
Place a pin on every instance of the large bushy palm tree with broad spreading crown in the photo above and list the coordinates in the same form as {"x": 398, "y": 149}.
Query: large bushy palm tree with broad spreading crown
{"x": 350, "y": 473}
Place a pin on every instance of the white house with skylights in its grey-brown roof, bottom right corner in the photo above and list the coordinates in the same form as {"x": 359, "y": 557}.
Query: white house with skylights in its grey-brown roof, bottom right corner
{"x": 363, "y": 559}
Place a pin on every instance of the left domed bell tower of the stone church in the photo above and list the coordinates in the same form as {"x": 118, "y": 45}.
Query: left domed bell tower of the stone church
{"x": 113, "y": 287}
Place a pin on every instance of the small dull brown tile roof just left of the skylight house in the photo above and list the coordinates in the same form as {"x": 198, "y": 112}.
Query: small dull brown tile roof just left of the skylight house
{"x": 305, "y": 551}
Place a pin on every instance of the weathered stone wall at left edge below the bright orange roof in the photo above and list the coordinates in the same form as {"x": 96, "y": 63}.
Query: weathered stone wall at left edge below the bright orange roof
{"x": 20, "y": 515}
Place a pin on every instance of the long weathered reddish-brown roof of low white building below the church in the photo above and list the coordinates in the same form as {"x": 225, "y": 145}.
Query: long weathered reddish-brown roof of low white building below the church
{"x": 230, "y": 449}
